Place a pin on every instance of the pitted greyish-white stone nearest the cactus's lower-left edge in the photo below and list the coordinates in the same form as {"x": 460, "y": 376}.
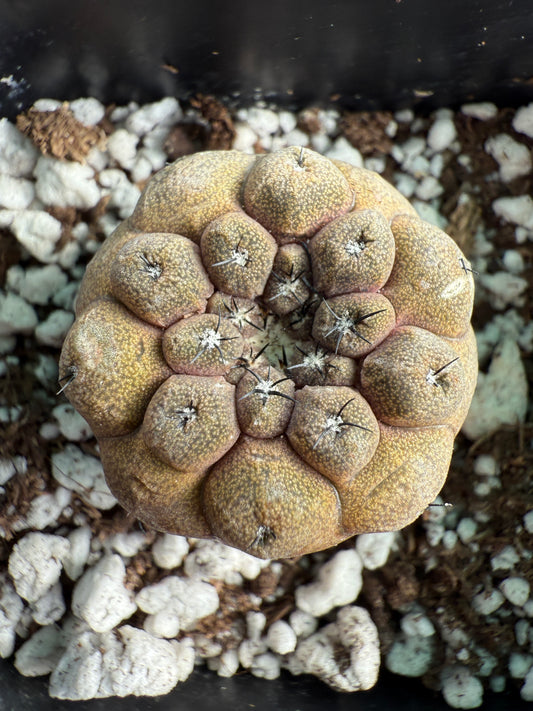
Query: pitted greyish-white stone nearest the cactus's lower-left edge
{"x": 83, "y": 474}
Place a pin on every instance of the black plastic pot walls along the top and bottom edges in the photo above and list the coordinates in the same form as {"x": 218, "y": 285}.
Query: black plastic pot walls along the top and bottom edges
{"x": 359, "y": 54}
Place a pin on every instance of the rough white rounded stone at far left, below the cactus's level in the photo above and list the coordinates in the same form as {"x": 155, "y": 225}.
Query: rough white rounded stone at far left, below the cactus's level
{"x": 35, "y": 564}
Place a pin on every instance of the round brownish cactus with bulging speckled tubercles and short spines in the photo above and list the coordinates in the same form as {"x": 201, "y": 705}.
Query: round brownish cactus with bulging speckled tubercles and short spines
{"x": 274, "y": 351}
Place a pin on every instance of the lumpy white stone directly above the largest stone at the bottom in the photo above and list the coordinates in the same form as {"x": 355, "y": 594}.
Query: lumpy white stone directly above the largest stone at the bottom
{"x": 176, "y": 603}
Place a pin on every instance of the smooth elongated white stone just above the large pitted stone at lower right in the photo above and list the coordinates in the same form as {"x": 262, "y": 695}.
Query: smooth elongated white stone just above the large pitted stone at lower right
{"x": 339, "y": 583}
